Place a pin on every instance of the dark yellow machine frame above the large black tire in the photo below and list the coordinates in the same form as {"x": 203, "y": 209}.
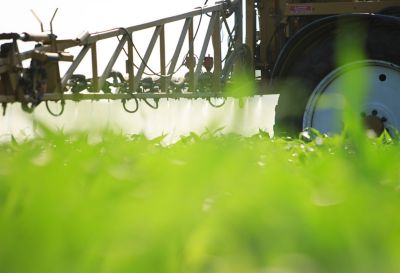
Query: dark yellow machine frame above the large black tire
{"x": 271, "y": 13}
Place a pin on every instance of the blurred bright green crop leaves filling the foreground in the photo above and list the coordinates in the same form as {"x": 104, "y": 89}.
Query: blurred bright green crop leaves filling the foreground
{"x": 109, "y": 203}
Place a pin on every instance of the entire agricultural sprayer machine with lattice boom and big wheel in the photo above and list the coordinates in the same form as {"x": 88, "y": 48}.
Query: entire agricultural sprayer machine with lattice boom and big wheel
{"x": 296, "y": 49}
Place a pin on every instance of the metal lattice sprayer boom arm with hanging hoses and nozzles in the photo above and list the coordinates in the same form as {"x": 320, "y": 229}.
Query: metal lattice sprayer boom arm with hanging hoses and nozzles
{"x": 41, "y": 80}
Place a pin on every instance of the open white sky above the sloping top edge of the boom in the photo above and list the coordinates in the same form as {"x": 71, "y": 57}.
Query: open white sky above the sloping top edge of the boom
{"x": 75, "y": 16}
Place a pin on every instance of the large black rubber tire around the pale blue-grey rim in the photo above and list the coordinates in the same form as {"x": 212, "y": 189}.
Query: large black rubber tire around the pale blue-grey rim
{"x": 311, "y": 55}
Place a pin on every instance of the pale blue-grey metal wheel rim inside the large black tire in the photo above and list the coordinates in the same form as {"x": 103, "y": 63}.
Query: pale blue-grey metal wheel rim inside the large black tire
{"x": 380, "y": 108}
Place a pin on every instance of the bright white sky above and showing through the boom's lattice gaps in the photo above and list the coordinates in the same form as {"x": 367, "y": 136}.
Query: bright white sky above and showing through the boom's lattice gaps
{"x": 76, "y": 16}
